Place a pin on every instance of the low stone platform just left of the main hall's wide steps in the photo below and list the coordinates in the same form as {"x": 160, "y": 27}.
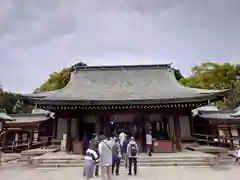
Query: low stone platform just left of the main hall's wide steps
{"x": 28, "y": 154}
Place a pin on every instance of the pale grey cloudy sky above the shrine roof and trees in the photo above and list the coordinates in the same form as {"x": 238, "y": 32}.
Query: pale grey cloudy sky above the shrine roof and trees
{"x": 40, "y": 37}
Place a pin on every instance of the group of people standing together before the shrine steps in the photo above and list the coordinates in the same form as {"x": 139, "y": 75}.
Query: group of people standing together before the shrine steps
{"x": 106, "y": 154}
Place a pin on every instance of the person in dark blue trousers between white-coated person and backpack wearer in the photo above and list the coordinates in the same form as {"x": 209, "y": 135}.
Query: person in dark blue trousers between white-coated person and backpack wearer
{"x": 116, "y": 155}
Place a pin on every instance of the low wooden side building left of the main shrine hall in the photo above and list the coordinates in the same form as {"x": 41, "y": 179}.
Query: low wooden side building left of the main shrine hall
{"x": 25, "y": 131}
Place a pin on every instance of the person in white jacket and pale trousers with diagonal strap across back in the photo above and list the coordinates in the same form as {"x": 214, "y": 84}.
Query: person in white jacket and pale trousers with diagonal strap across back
{"x": 105, "y": 152}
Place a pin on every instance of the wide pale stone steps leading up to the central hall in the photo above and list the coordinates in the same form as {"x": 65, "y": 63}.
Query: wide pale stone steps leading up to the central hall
{"x": 186, "y": 158}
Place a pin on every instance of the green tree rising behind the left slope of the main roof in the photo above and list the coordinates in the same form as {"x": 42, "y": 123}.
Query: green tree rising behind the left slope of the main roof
{"x": 58, "y": 80}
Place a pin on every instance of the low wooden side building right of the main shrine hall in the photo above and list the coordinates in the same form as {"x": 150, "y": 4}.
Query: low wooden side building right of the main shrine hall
{"x": 221, "y": 125}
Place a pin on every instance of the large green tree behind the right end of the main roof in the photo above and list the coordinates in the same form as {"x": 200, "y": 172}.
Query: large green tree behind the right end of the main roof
{"x": 216, "y": 76}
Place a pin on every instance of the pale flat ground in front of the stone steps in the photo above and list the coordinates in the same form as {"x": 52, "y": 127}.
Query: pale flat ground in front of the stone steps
{"x": 16, "y": 172}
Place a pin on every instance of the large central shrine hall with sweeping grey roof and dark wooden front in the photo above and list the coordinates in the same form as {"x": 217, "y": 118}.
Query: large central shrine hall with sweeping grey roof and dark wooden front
{"x": 134, "y": 99}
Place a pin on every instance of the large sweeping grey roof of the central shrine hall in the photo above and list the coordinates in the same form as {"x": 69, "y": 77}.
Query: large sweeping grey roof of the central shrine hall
{"x": 121, "y": 84}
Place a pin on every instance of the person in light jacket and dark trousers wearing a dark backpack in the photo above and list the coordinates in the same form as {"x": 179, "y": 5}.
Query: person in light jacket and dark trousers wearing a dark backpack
{"x": 132, "y": 151}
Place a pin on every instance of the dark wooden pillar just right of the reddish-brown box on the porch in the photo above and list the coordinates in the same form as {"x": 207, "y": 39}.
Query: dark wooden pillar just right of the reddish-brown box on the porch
{"x": 177, "y": 132}
